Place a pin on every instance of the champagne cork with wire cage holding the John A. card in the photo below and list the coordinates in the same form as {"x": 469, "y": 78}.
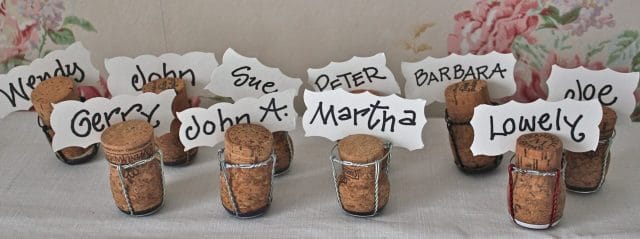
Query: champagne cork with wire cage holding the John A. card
{"x": 251, "y": 187}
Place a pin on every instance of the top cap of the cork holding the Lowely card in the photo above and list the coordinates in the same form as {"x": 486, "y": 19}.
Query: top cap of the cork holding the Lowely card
{"x": 539, "y": 151}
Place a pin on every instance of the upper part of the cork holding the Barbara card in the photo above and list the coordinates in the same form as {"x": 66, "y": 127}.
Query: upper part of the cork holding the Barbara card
{"x": 462, "y": 97}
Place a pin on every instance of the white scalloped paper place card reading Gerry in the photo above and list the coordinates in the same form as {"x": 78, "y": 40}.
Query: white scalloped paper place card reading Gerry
{"x": 82, "y": 123}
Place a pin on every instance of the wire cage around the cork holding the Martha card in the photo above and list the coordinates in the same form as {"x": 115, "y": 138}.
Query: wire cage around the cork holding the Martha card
{"x": 343, "y": 170}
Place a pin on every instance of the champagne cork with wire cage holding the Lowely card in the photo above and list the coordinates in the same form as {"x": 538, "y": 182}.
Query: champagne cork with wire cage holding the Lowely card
{"x": 537, "y": 198}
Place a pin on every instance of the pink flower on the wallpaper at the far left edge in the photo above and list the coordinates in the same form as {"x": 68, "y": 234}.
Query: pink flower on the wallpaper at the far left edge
{"x": 13, "y": 40}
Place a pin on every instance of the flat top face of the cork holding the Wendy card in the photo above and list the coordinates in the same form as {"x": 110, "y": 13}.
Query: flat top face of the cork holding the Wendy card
{"x": 52, "y": 90}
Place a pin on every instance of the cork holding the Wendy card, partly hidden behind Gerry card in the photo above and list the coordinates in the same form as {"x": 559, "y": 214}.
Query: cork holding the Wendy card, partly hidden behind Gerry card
{"x": 56, "y": 90}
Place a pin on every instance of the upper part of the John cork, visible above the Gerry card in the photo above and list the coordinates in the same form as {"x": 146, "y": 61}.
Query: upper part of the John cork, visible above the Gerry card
{"x": 180, "y": 102}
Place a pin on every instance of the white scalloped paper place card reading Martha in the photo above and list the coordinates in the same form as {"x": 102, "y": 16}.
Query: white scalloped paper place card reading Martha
{"x": 336, "y": 114}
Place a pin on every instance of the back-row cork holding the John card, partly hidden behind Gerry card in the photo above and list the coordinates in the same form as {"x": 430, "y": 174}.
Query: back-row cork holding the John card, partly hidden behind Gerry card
{"x": 169, "y": 143}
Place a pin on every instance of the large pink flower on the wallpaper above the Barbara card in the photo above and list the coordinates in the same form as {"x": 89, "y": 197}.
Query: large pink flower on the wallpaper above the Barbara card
{"x": 492, "y": 26}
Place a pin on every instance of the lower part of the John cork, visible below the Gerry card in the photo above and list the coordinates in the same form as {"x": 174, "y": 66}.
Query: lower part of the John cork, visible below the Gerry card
{"x": 172, "y": 149}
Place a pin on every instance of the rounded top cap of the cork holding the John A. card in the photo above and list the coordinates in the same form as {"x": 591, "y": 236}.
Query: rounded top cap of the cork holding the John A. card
{"x": 247, "y": 143}
